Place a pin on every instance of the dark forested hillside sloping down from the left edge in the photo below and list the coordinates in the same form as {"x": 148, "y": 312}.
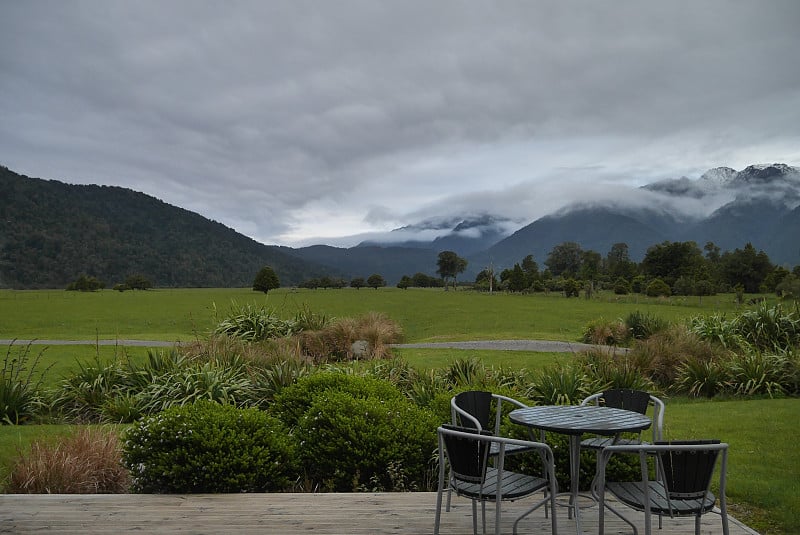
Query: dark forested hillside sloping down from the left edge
{"x": 52, "y": 232}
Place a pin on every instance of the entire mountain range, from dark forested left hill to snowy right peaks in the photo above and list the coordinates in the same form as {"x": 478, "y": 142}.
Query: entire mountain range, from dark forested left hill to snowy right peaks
{"x": 53, "y": 232}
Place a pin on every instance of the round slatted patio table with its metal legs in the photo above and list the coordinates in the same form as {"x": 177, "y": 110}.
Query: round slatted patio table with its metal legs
{"x": 574, "y": 421}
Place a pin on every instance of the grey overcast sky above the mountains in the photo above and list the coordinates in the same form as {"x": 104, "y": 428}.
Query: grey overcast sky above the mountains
{"x": 299, "y": 120}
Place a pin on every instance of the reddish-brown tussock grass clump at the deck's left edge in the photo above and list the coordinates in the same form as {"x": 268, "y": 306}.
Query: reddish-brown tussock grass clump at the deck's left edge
{"x": 87, "y": 462}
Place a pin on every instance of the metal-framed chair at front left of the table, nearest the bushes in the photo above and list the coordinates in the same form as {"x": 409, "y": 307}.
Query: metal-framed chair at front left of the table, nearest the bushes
{"x": 466, "y": 451}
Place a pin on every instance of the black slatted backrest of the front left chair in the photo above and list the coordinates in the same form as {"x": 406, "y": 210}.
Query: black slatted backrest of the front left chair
{"x": 468, "y": 457}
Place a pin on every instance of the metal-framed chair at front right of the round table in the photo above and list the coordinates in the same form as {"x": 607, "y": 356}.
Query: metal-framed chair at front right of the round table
{"x": 685, "y": 470}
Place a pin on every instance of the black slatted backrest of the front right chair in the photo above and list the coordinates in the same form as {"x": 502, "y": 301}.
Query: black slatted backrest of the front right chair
{"x": 687, "y": 473}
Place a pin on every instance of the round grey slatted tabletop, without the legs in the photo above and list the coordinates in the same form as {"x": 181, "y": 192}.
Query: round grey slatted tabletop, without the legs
{"x": 579, "y": 419}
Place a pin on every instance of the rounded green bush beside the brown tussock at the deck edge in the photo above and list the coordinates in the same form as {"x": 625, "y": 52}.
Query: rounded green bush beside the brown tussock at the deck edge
{"x": 207, "y": 447}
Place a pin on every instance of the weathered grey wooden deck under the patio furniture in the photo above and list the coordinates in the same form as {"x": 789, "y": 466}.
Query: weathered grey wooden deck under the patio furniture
{"x": 288, "y": 514}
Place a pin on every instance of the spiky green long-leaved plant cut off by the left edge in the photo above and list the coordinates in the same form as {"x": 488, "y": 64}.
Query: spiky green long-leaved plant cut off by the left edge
{"x": 19, "y": 391}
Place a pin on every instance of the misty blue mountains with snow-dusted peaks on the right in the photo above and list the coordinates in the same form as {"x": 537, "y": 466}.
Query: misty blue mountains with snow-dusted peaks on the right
{"x": 758, "y": 204}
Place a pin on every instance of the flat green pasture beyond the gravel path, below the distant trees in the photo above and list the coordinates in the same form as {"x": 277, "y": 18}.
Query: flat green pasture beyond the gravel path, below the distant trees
{"x": 426, "y": 315}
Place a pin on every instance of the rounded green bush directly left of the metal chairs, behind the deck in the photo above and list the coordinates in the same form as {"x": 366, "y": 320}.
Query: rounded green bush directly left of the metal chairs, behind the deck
{"x": 347, "y": 442}
